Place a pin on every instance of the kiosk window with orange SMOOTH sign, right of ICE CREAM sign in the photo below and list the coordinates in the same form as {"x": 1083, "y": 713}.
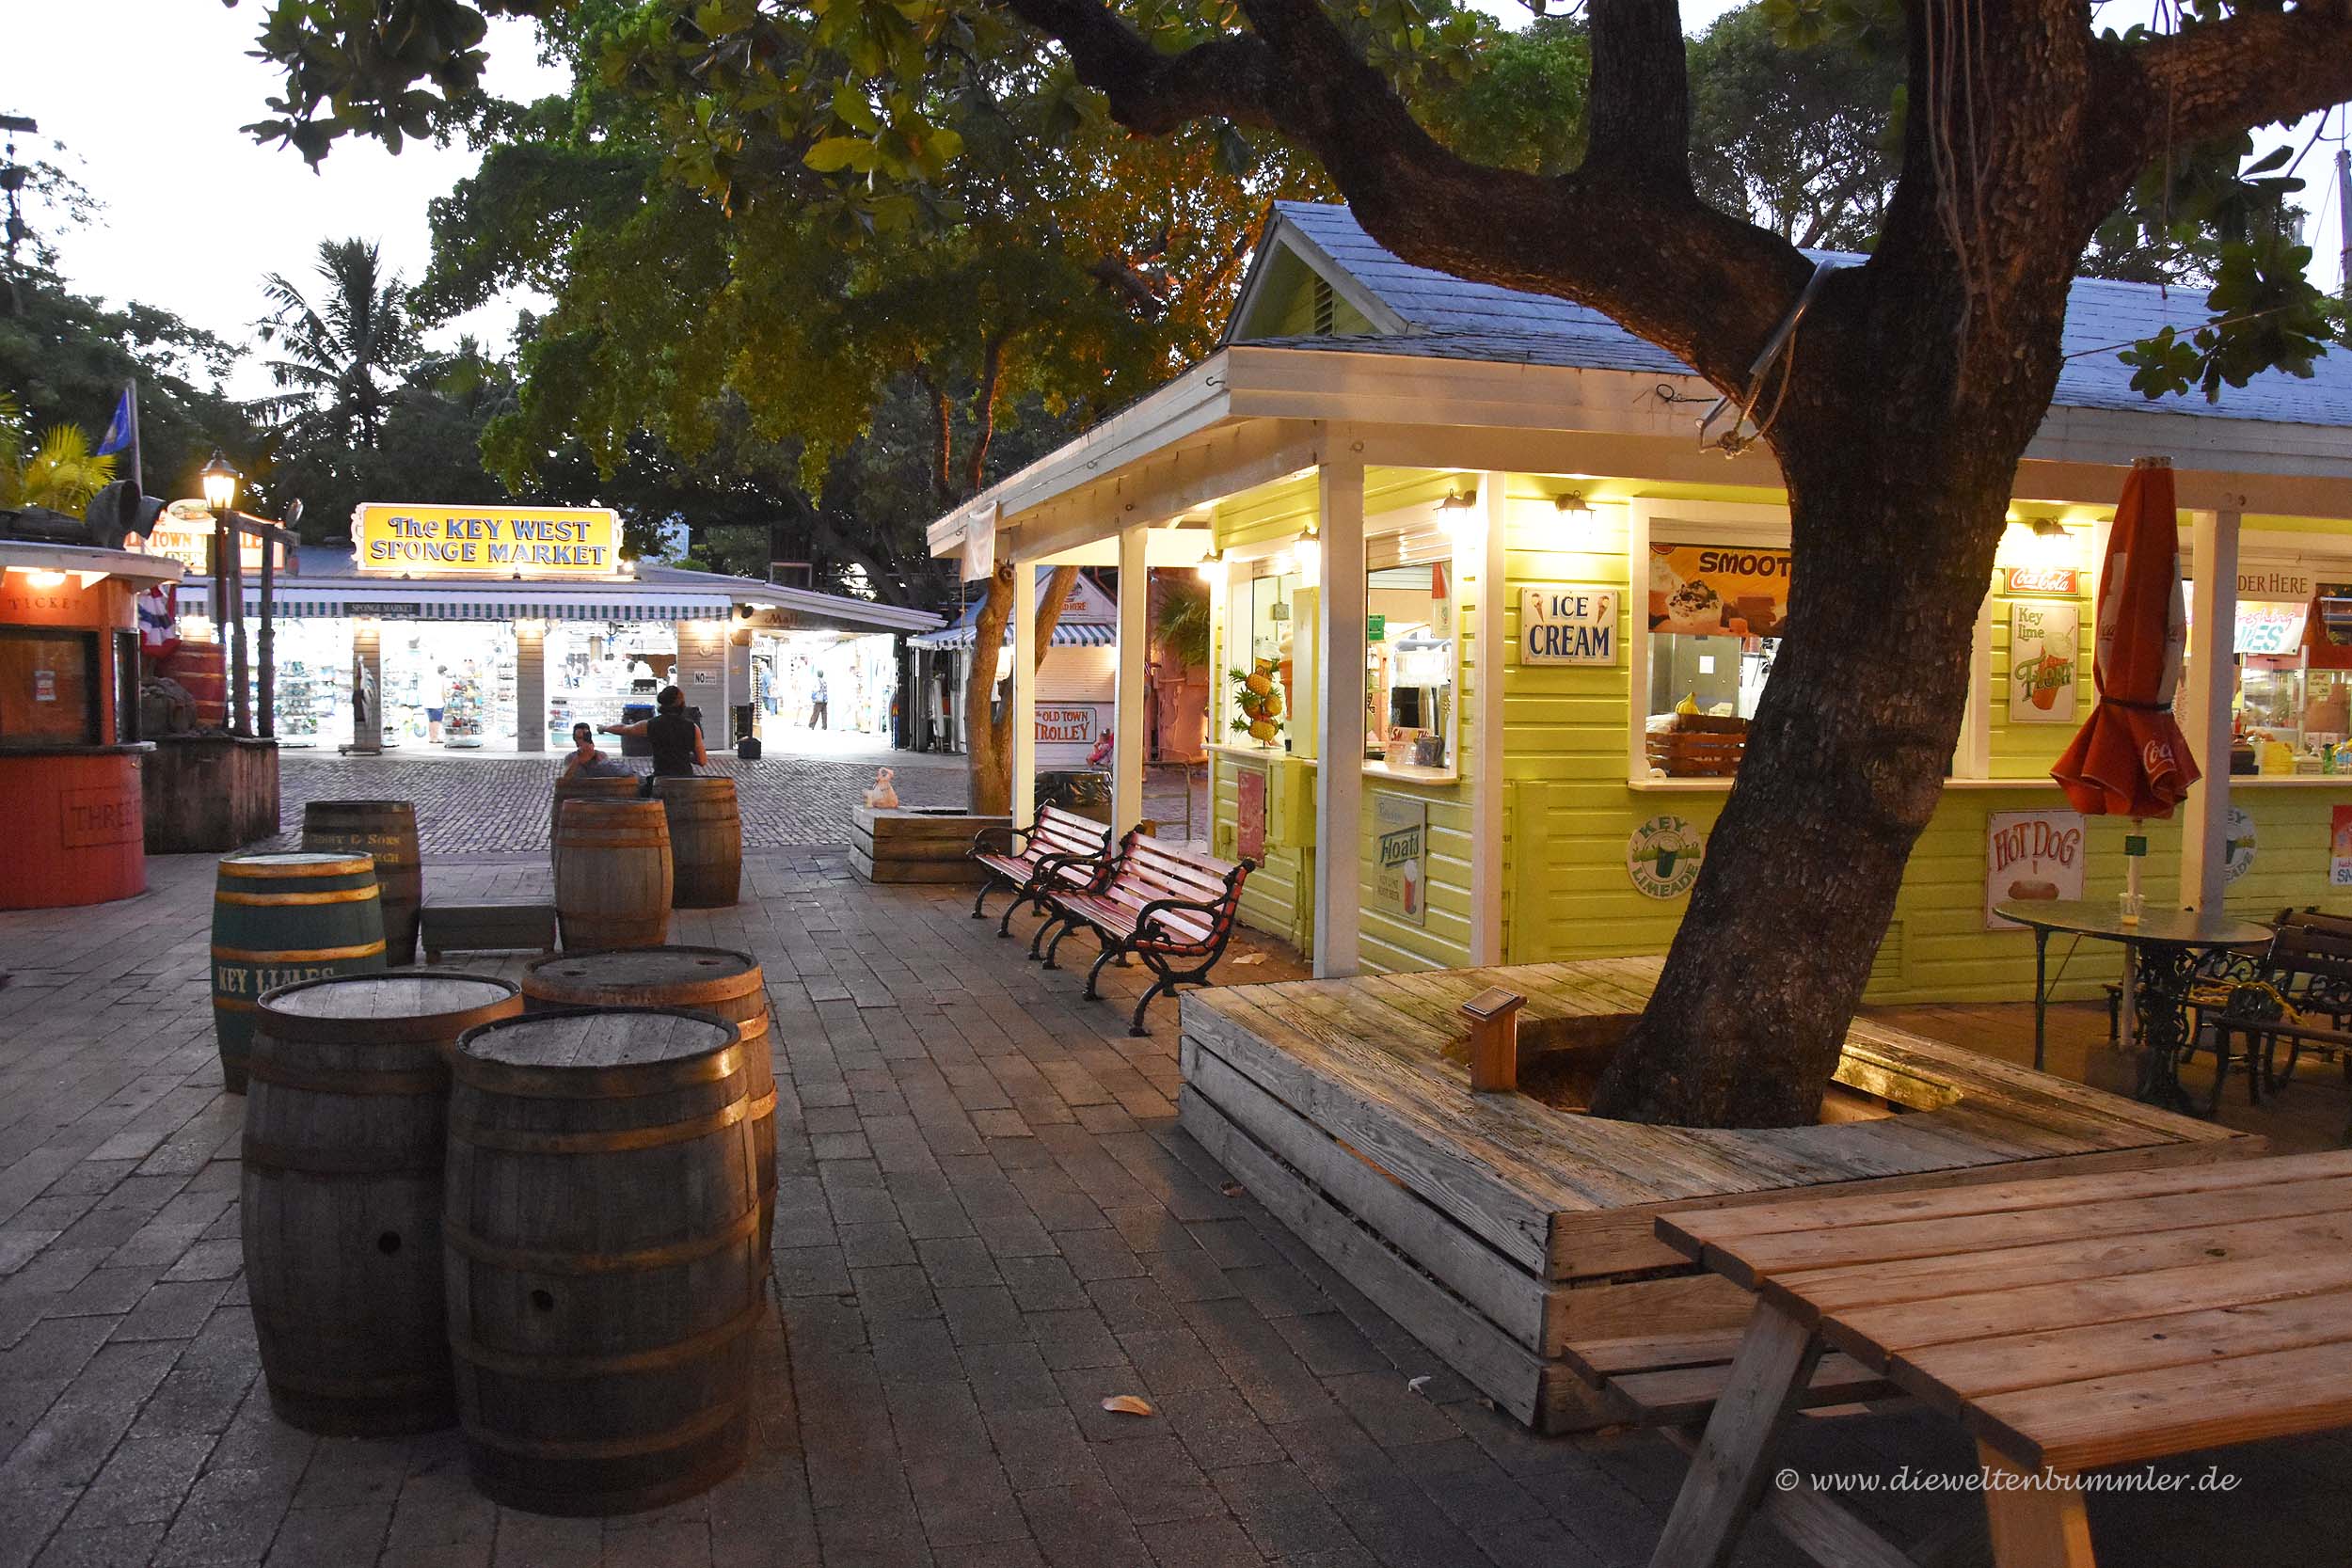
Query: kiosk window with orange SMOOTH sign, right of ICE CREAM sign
{"x": 1716, "y": 619}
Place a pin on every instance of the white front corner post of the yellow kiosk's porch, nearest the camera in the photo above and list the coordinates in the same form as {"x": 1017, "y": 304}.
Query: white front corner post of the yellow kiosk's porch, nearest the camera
{"x": 1339, "y": 732}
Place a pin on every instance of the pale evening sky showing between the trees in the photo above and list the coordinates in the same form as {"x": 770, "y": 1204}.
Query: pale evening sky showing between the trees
{"x": 149, "y": 95}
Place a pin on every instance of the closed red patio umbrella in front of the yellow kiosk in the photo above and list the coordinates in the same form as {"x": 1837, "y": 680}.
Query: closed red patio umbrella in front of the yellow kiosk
{"x": 2130, "y": 758}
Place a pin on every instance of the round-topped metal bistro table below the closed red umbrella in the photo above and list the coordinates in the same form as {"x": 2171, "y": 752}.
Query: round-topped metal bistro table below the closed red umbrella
{"x": 2163, "y": 949}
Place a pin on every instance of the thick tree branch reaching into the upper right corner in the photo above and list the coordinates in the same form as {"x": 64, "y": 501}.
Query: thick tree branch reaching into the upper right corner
{"x": 2254, "y": 67}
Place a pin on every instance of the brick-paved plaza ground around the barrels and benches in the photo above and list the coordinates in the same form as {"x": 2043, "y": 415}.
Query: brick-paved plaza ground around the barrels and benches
{"x": 989, "y": 1221}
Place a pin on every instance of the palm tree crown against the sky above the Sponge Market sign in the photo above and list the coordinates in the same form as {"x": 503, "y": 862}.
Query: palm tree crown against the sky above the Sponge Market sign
{"x": 342, "y": 359}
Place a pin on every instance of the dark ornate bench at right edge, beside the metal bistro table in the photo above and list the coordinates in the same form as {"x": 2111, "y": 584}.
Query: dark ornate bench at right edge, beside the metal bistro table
{"x": 2297, "y": 993}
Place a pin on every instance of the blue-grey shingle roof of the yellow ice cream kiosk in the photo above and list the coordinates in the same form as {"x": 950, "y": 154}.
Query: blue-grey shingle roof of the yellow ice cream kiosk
{"x": 1452, "y": 319}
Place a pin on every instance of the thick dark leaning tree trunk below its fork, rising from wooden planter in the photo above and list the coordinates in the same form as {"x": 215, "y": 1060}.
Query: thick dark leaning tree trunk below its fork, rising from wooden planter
{"x": 1843, "y": 772}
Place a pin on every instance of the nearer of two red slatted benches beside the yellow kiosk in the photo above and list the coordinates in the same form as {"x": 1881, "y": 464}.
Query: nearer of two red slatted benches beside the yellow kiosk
{"x": 1168, "y": 906}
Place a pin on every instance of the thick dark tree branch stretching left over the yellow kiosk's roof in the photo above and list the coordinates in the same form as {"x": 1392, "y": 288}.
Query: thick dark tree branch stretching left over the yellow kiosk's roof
{"x": 1624, "y": 234}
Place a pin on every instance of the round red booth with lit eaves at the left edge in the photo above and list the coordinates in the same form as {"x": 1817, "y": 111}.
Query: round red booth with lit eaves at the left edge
{"x": 69, "y": 723}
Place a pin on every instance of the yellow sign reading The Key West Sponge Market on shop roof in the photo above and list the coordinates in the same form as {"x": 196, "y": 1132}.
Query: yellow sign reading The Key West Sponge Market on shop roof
{"x": 533, "y": 542}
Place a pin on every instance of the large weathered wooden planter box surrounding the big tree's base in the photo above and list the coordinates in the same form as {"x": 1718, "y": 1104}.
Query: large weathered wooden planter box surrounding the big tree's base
{"x": 1499, "y": 1231}
